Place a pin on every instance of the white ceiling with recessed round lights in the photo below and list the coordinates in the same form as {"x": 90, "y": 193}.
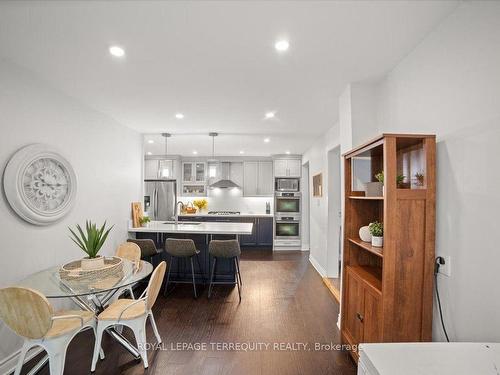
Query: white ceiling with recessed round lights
{"x": 215, "y": 62}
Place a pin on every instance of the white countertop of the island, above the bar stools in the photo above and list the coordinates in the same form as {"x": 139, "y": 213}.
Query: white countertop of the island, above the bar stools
{"x": 192, "y": 228}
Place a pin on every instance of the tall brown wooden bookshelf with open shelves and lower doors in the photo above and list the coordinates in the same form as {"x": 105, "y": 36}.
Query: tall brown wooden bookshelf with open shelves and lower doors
{"x": 376, "y": 306}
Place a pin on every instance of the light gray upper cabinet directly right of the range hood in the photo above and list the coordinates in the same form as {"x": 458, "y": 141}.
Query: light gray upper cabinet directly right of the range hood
{"x": 257, "y": 178}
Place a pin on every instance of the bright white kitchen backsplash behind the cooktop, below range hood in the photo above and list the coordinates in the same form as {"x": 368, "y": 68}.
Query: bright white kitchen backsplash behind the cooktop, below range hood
{"x": 232, "y": 200}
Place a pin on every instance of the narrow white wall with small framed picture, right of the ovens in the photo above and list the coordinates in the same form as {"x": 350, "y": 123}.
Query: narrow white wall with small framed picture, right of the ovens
{"x": 317, "y": 157}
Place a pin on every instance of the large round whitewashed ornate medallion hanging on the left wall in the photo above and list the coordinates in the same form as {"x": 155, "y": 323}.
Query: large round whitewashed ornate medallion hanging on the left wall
{"x": 39, "y": 184}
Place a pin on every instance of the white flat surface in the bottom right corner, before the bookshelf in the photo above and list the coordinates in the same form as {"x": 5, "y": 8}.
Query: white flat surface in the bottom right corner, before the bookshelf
{"x": 431, "y": 358}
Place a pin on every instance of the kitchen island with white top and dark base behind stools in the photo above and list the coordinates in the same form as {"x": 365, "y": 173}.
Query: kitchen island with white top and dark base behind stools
{"x": 201, "y": 233}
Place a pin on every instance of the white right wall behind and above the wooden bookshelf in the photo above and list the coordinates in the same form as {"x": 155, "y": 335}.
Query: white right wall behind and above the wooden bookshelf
{"x": 450, "y": 85}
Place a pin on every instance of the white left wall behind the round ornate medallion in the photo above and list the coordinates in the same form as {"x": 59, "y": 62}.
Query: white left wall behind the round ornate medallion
{"x": 107, "y": 160}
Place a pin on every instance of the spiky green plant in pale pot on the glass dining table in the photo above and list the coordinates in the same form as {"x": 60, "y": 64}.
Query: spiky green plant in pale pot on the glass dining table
{"x": 91, "y": 242}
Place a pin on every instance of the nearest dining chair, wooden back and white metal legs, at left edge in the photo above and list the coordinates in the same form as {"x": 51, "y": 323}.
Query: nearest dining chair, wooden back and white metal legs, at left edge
{"x": 28, "y": 313}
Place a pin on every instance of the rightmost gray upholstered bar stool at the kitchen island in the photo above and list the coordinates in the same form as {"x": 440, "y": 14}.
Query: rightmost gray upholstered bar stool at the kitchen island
{"x": 227, "y": 249}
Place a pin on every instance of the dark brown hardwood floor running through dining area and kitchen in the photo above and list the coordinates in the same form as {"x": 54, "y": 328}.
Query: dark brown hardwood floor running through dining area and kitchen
{"x": 283, "y": 301}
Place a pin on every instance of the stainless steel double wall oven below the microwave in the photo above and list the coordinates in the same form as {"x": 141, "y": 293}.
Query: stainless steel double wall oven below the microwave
{"x": 287, "y": 215}
